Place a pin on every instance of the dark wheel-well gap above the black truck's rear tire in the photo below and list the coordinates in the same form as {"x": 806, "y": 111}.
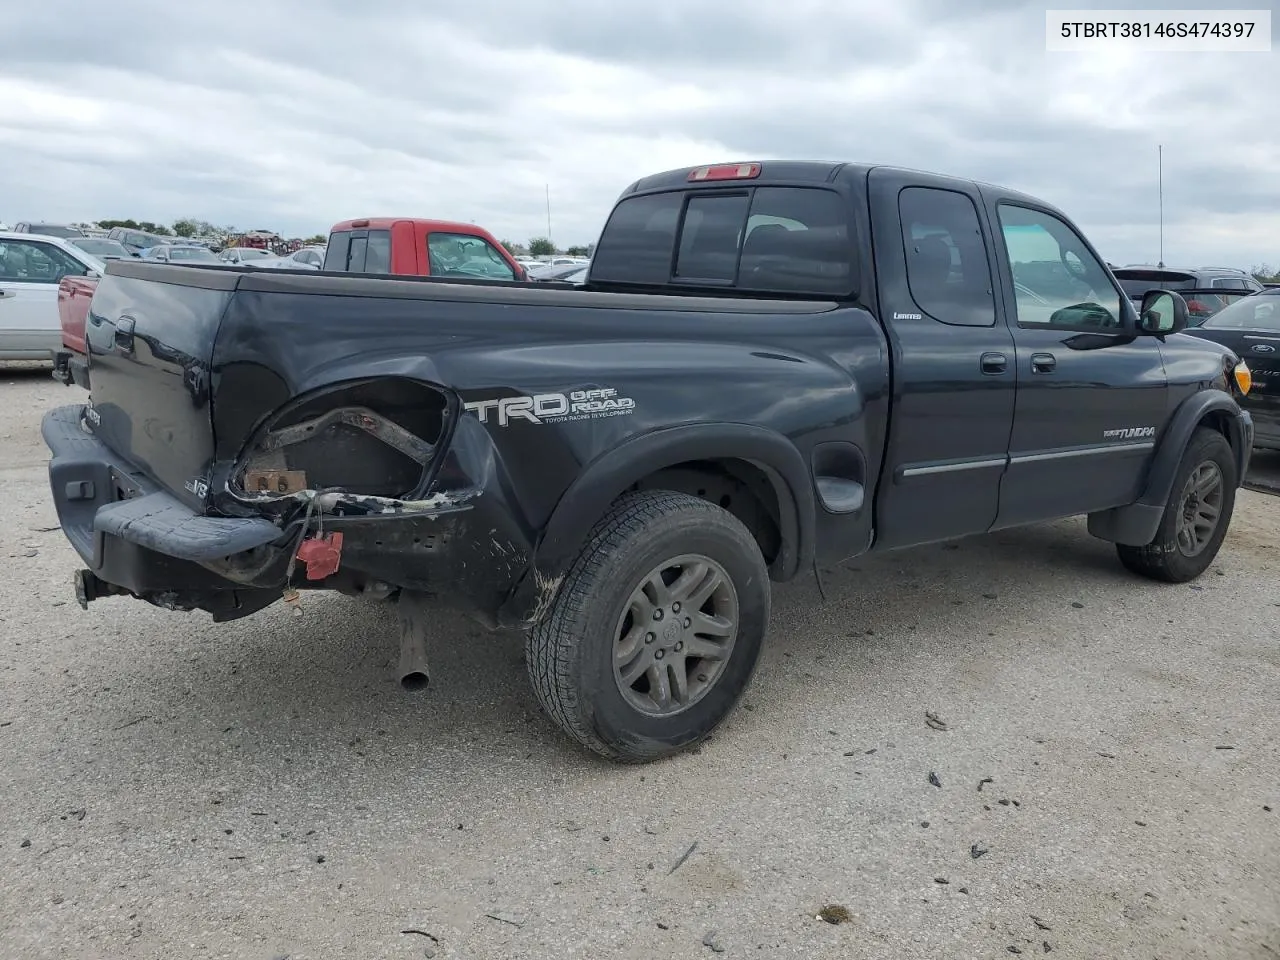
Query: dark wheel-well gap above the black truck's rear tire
{"x": 737, "y": 486}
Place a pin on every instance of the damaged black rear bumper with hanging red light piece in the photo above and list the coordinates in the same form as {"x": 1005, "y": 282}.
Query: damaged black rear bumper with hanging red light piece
{"x": 135, "y": 538}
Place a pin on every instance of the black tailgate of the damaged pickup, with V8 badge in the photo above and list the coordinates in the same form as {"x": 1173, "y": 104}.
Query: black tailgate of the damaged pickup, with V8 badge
{"x": 150, "y": 335}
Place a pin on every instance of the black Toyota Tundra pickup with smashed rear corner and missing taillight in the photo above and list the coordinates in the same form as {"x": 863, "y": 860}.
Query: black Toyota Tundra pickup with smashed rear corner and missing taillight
{"x": 771, "y": 367}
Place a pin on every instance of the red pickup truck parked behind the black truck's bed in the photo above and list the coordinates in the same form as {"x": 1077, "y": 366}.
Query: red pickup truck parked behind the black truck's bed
{"x": 383, "y": 245}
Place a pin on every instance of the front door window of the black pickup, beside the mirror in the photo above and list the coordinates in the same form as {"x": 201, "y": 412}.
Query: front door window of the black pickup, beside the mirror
{"x": 1058, "y": 282}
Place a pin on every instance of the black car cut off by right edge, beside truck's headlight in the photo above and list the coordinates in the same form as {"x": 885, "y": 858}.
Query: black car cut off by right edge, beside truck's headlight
{"x": 1251, "y": 328}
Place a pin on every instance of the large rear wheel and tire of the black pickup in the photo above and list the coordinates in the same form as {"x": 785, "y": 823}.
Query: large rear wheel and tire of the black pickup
{"x": 584, "y": 656}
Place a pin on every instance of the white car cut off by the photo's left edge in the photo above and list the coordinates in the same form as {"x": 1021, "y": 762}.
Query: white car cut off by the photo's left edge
{"x": 31, "y": 267}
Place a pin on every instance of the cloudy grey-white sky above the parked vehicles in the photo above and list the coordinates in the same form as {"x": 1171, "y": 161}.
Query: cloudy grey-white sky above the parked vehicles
{"x": 292, "y": 116}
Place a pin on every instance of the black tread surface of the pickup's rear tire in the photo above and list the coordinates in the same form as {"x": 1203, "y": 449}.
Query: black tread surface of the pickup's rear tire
{"x": 550, "y": 646}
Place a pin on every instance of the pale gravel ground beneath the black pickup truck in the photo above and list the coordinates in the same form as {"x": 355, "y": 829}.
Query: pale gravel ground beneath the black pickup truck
{"x": 1107, "y": 785}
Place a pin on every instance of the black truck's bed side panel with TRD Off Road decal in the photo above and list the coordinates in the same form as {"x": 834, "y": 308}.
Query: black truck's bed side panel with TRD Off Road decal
{"x": 551, "y": 381}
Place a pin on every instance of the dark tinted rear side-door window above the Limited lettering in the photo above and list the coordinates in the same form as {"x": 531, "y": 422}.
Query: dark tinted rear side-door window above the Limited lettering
{"x": 947, "y": 260}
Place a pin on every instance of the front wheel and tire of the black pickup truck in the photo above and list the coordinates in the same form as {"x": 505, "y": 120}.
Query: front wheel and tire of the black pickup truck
{"x": 1173, "y": 556}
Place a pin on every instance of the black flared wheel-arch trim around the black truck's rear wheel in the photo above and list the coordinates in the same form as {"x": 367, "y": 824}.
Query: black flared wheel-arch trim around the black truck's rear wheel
{"x": 610, "y": 477}
